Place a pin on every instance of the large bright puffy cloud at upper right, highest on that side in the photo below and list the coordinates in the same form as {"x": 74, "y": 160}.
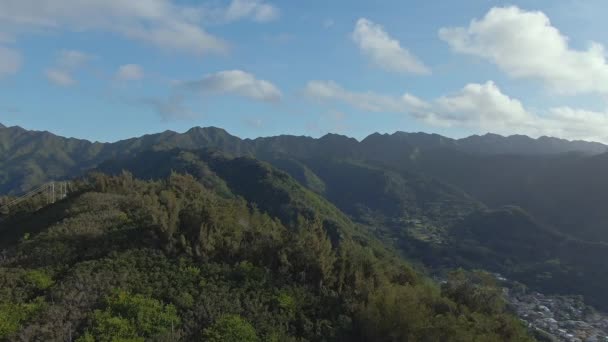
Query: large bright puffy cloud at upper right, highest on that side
{"x": 525, "y": 44}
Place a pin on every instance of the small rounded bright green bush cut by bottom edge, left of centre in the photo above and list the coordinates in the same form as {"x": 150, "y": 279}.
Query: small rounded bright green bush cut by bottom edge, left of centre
{"x": 231, "y": 328}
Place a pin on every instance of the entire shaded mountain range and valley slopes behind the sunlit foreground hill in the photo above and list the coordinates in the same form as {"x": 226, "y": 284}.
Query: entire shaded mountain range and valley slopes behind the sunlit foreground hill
{"x": 530, "y": 209}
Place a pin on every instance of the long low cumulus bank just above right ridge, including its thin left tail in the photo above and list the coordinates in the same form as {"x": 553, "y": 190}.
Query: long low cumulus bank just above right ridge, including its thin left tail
{"x": 478, "y": 107}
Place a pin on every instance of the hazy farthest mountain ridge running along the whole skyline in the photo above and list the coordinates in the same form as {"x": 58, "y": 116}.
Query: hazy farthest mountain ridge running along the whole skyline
{"x": 28, "y": 158}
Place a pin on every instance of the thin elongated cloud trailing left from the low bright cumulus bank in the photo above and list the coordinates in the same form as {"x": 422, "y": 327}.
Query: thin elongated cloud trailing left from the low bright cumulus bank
{"x": 366, "y": 101}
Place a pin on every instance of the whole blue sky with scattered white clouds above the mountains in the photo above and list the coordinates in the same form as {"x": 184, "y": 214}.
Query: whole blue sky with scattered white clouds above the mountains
{"x": 106, "y": 70}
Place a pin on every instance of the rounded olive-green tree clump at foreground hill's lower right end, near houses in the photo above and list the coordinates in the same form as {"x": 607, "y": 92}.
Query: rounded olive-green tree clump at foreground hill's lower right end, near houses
{"x": 414, "y": 313}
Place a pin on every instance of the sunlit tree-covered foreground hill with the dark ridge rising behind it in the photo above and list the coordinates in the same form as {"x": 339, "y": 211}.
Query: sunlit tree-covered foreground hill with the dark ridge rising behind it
{"x": 239, "y": 252}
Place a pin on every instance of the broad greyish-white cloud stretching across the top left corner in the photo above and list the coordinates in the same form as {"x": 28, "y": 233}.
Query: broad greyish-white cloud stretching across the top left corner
{"x": 157, "y": 22}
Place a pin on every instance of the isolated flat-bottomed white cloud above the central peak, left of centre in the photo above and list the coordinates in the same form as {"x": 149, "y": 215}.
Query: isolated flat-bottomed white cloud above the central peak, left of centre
{"x": 235, "y": 82}
